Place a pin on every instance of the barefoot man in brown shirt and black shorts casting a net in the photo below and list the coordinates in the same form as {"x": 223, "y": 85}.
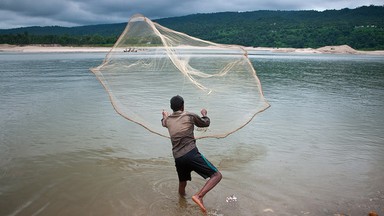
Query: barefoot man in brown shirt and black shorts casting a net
{"x": 180, "y": 125}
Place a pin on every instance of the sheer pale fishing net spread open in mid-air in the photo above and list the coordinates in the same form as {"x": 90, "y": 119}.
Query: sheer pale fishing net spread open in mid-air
{"x": 150, "y": 63}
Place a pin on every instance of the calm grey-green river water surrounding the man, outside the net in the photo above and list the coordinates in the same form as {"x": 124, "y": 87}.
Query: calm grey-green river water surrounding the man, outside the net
{"x": 318, "y": 150}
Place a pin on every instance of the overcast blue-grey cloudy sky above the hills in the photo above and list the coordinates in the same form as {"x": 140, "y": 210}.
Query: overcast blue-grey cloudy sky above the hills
{"x": 23, "y": 13}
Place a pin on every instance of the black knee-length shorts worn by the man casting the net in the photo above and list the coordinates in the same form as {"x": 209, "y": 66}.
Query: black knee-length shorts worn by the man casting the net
{"x": 193, "y": 161}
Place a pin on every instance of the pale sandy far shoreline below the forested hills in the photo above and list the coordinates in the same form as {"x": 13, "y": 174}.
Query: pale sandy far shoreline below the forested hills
{"x": 343, "y": 49}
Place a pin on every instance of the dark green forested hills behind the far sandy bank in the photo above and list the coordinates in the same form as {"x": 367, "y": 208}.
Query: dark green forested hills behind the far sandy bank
{"x": 360, "y": 28}
